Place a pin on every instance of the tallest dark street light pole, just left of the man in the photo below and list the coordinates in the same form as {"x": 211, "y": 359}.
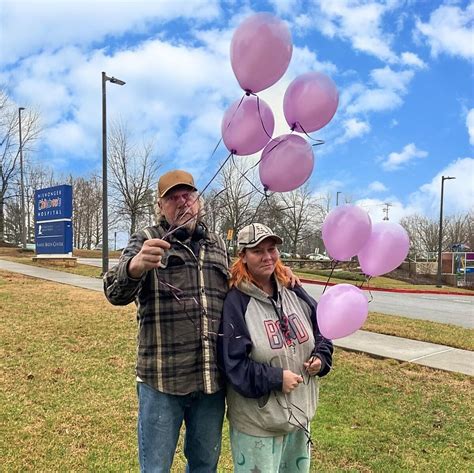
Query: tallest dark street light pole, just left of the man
{"x": 105, "y": 215}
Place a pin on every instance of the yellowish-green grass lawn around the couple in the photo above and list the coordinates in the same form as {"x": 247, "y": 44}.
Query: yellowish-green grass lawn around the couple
{"x": 68, "y": 399}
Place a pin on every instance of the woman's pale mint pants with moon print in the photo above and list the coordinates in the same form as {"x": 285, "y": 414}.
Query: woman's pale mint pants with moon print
{"x": 285, "y": 453}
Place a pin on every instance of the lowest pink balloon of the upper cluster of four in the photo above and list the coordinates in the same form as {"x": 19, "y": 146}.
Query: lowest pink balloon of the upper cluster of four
{"x": 287, "y": 163}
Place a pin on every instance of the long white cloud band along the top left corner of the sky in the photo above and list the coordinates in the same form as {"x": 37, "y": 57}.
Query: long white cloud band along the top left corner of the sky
{"x": 51, "y": 25}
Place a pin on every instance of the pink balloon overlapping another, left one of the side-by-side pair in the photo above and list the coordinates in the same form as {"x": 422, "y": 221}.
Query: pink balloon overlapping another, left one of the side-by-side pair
{"x": 345, "y": 231}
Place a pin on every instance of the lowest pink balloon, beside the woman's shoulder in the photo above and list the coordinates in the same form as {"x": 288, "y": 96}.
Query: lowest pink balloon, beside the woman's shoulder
{"x": 341, "y": 310}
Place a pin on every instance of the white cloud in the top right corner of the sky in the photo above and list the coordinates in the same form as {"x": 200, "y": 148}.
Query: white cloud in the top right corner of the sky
{"x": 449, "y": 31}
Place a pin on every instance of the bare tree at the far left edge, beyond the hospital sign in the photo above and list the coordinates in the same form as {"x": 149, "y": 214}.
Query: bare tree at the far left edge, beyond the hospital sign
{"x": 10, "y": 148}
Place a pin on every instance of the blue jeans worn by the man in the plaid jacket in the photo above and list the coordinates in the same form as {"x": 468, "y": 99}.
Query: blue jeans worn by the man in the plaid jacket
{"x": 160, "y": 417}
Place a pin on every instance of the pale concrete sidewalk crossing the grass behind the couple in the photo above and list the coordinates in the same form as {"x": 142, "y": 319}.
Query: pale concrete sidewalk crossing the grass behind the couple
{"x": 384, "y": 346}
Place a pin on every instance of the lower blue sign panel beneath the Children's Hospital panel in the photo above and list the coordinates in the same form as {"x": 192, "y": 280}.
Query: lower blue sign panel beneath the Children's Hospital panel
{"x": 53, "y": 237}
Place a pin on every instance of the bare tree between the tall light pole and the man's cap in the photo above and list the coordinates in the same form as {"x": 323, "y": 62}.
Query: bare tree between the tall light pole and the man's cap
{"x": 134, "y": 172}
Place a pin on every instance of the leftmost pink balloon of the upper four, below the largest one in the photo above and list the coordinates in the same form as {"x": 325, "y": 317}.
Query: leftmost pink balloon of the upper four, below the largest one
{"x": 247, "y": 128}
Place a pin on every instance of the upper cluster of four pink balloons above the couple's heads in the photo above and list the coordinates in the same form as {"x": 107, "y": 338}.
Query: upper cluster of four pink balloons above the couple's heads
{"x": 260, "y": 52}
